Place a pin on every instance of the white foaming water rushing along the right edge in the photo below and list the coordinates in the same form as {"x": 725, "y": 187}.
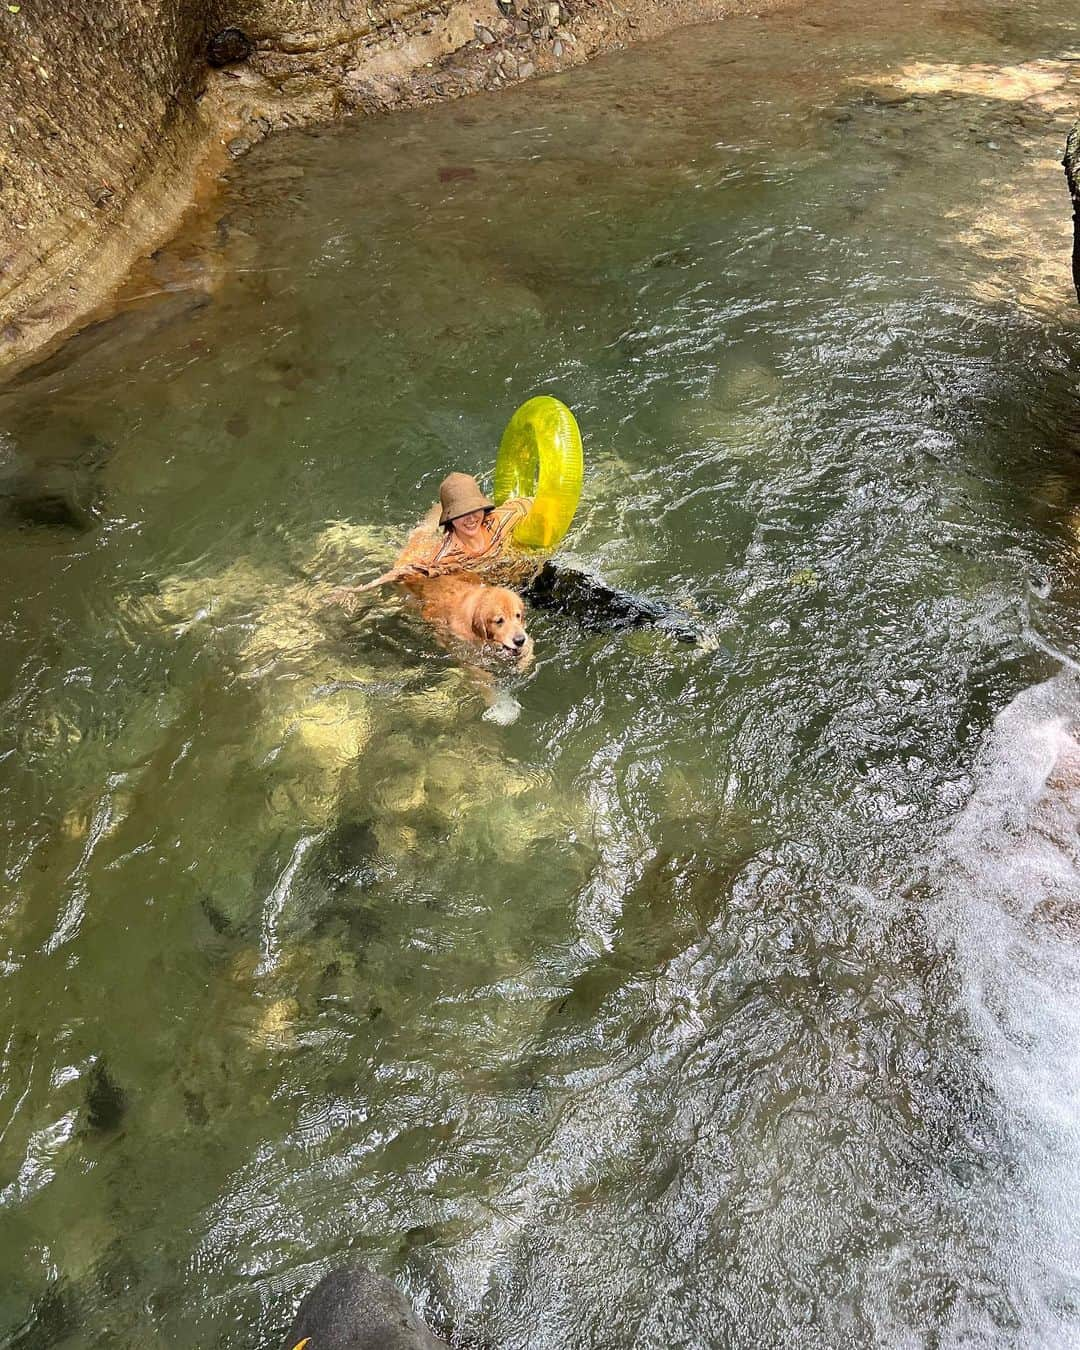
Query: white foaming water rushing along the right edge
{"x": 1013, "y": 909}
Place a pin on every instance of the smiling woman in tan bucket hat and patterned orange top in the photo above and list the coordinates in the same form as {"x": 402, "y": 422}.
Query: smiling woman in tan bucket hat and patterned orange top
{"x": 476, "y": 534}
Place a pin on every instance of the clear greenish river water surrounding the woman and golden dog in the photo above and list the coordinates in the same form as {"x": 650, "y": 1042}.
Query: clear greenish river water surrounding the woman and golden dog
{"x": 731, "y": 996}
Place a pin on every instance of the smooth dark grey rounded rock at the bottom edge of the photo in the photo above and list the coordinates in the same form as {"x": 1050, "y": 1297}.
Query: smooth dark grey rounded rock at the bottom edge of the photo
{"x": 358, "y": 1310}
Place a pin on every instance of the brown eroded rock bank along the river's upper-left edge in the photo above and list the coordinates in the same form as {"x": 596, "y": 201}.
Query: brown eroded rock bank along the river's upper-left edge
{"x": 117, "y": 114}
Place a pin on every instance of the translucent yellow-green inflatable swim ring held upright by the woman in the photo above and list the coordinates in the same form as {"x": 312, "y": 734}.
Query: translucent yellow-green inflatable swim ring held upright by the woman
{"x": 541, "y": 457}
